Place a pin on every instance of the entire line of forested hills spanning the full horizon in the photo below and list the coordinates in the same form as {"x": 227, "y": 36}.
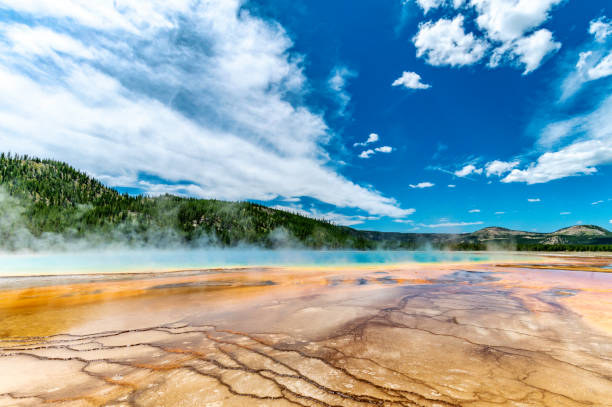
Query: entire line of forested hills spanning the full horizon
{"x": 46, "y": 204}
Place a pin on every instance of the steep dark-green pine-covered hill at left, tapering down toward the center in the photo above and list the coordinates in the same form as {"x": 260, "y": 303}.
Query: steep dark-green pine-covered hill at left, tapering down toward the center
{"x": 52, "y": 201}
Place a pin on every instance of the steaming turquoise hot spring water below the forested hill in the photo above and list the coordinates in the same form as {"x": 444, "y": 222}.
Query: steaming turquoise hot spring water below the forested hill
{"x": 156, "y": 260}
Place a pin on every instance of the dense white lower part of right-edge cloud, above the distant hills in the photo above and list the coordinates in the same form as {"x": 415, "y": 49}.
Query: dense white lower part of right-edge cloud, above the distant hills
{"x": 591, "y": 146}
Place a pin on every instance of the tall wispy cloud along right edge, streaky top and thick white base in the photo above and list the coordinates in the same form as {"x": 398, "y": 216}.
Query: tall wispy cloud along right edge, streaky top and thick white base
{"x": 579, "y": 144}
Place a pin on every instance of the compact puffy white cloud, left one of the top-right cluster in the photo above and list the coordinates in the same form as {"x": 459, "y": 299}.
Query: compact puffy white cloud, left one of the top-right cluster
{"x": 446, "y": 43}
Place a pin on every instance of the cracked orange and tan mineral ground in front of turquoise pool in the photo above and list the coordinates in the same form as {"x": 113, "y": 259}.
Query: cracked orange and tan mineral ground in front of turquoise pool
{"x": 413, "y": 335}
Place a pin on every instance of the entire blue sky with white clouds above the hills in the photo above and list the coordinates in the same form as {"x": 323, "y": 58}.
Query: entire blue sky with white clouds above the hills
{"x": 397, "y": 115}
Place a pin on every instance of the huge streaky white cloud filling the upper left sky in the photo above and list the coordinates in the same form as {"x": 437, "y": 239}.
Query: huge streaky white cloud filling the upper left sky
{"x": 196, "y": 93}
